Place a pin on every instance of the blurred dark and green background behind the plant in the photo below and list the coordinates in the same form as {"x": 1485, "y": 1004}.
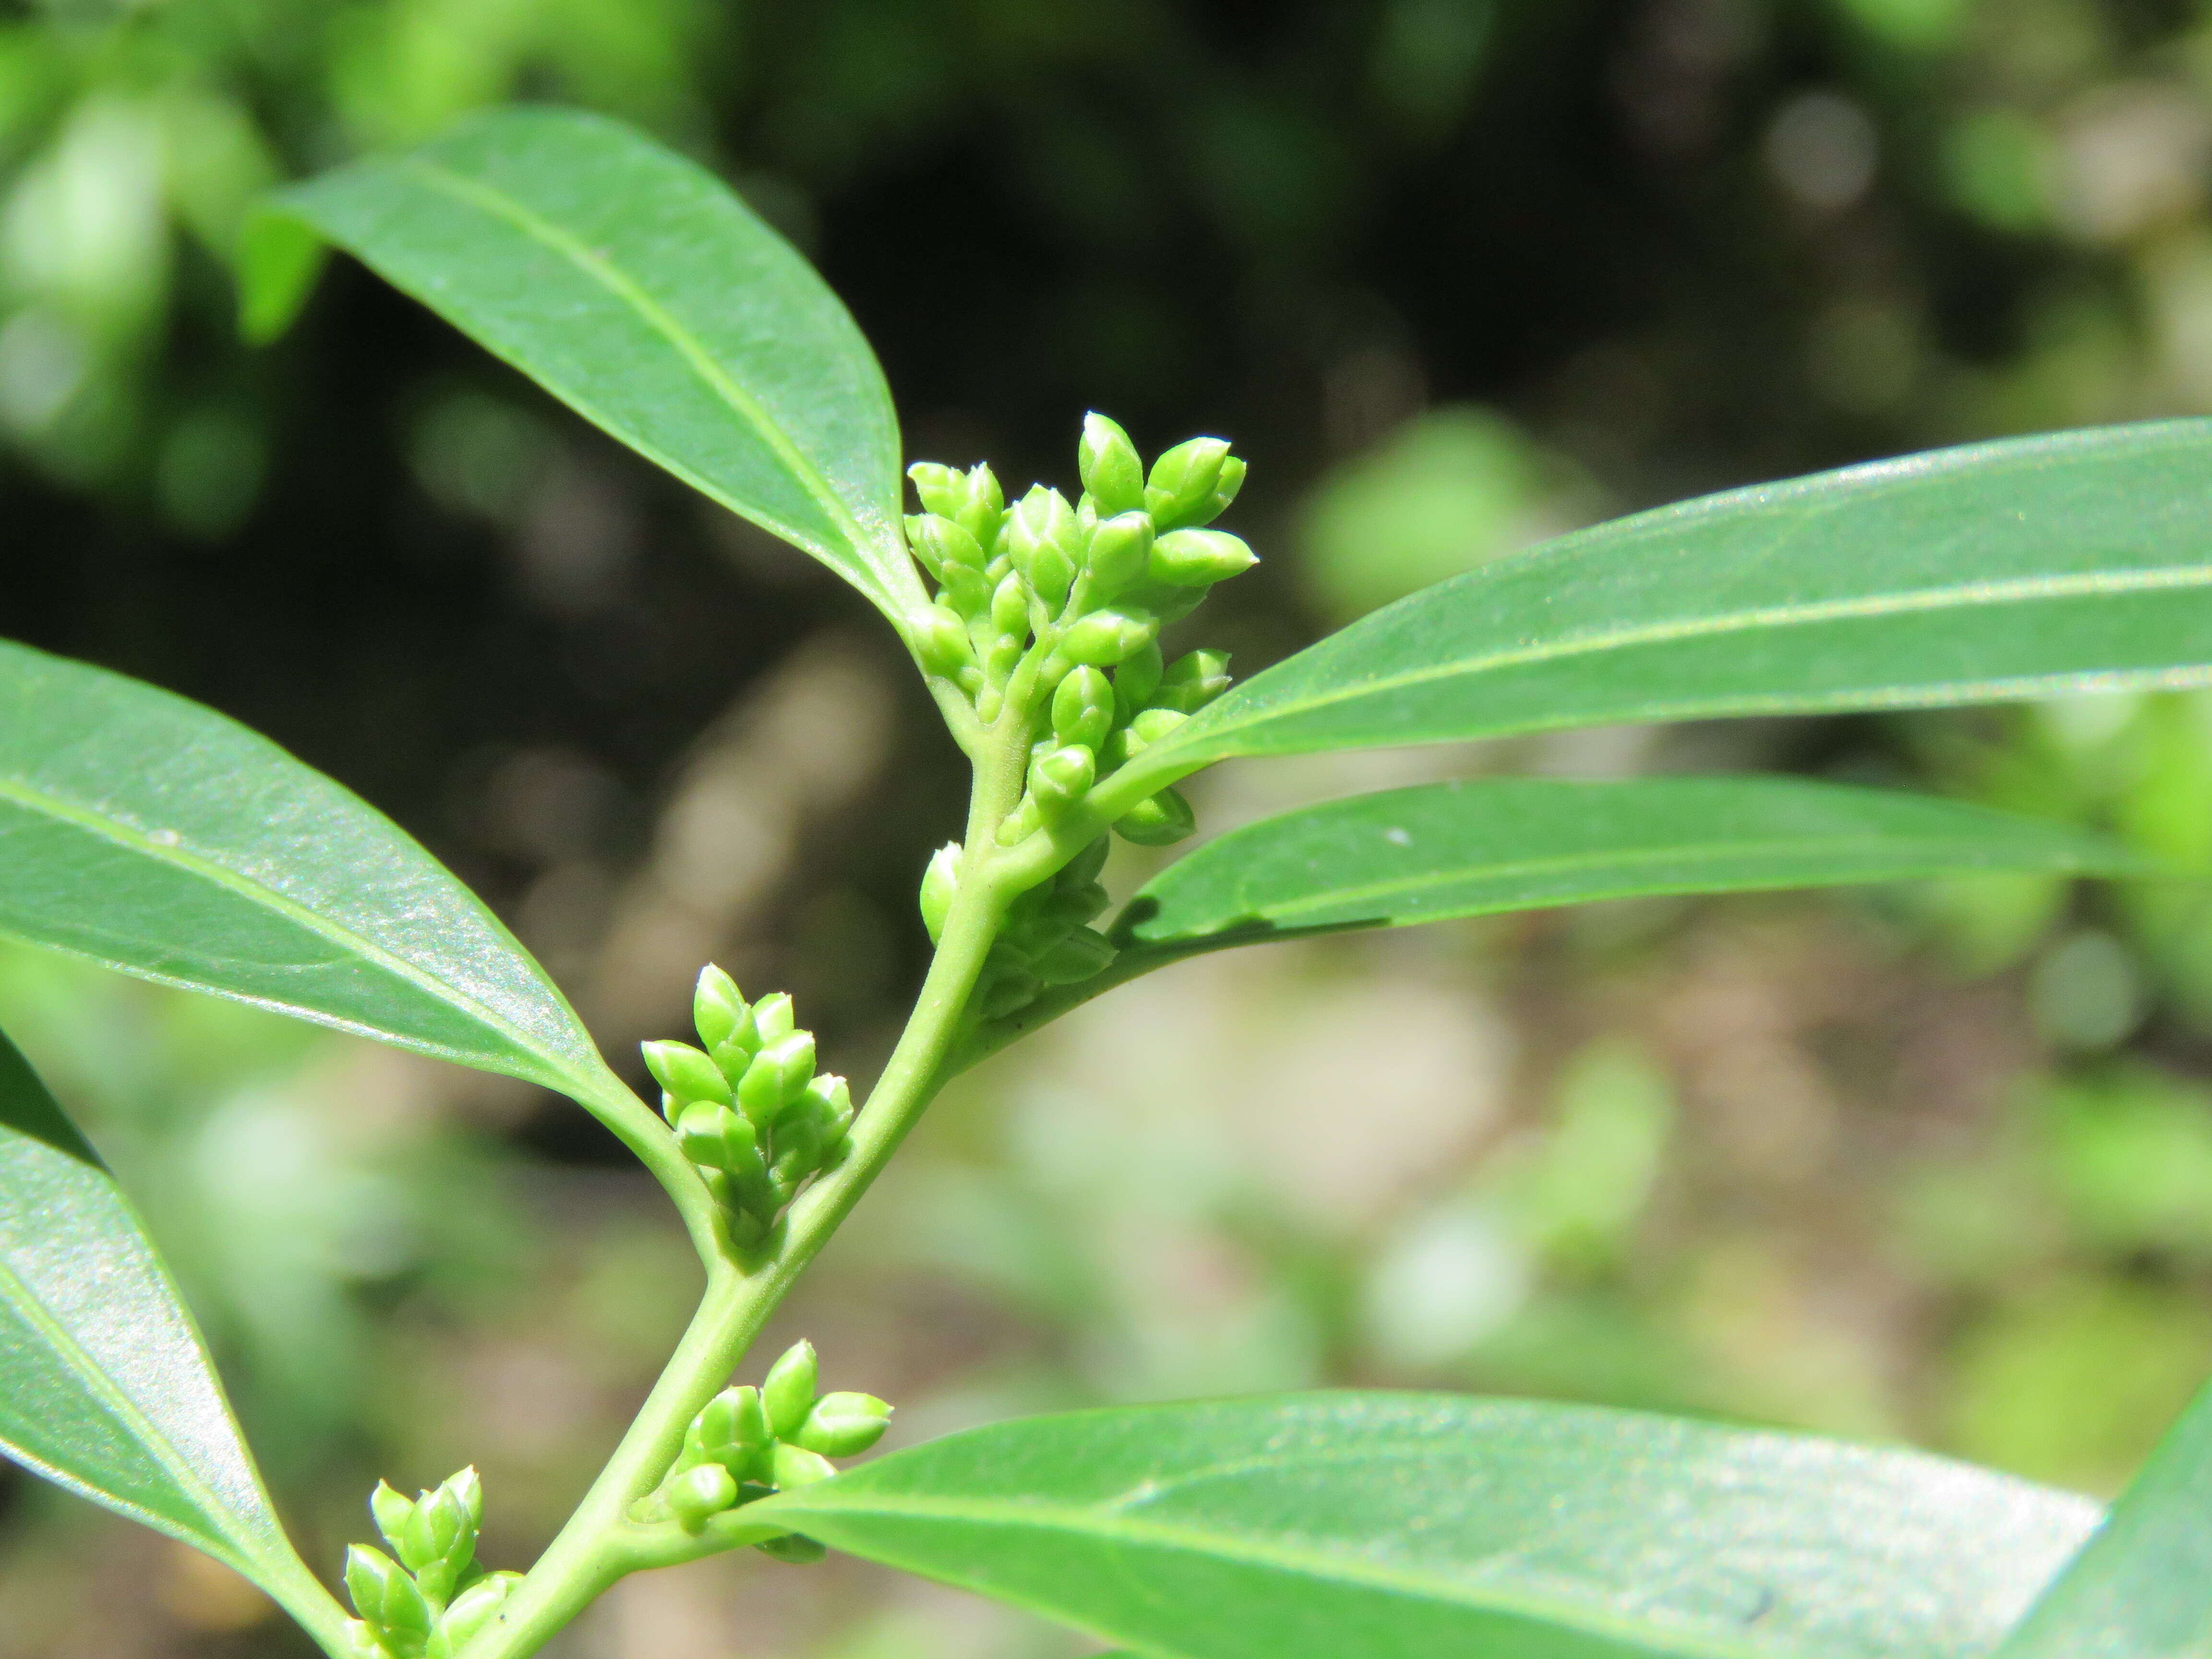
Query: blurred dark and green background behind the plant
{"x": 1928, "y": 1165}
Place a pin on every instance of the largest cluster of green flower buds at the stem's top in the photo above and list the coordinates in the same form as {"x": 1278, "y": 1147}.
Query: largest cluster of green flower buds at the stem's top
{"x": 1081, "y": 594}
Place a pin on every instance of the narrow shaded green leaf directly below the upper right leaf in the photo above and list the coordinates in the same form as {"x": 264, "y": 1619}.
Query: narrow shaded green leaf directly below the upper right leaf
{"x": 1485, "y": 846}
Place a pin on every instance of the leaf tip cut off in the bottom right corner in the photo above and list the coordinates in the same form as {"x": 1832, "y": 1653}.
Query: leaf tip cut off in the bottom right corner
{"x": 2142, "y": 1589}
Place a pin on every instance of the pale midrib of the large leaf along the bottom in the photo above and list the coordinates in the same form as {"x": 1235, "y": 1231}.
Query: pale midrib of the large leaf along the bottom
{"x": 1300, "y": 1563}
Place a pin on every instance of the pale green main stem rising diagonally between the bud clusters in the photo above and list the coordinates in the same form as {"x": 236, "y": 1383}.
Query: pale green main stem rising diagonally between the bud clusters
{"x": 601, "y": 1543}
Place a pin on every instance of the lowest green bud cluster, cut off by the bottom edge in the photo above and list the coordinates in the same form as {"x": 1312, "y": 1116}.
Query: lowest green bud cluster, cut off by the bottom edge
{"x": 430, "y": 1600}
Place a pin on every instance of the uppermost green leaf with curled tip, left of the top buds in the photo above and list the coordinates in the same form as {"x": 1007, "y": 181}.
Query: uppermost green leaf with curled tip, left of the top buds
{"x": 643, "y": 293}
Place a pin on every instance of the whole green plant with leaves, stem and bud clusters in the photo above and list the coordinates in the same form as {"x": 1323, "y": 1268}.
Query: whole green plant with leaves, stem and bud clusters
{"x": 167, "y": 842}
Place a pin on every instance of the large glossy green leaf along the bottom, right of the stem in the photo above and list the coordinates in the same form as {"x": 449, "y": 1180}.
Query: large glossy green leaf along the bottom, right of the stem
{"x": 1408, "y": 1527}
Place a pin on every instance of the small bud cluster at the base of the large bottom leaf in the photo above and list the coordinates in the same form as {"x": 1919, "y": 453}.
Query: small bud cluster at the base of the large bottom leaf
{"x": 753, "y": 1441}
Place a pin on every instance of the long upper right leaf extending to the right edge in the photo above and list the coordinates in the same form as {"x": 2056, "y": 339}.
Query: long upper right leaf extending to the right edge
{"x": 2012, "y": 570}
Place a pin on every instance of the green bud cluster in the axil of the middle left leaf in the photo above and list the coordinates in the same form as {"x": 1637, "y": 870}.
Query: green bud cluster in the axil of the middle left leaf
{"x": 749, "y": 1107}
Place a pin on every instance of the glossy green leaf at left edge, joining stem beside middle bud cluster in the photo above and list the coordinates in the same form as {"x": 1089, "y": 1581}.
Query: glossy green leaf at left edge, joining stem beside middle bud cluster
{"x": 154, "y": 835}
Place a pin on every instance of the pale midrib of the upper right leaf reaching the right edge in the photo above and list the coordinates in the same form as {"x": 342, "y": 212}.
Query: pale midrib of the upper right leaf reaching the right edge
{"x": 1864, "y": 607}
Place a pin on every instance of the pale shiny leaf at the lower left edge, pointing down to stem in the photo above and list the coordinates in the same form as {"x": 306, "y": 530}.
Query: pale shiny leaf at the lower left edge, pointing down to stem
{"x": 105, "y": 1386}
